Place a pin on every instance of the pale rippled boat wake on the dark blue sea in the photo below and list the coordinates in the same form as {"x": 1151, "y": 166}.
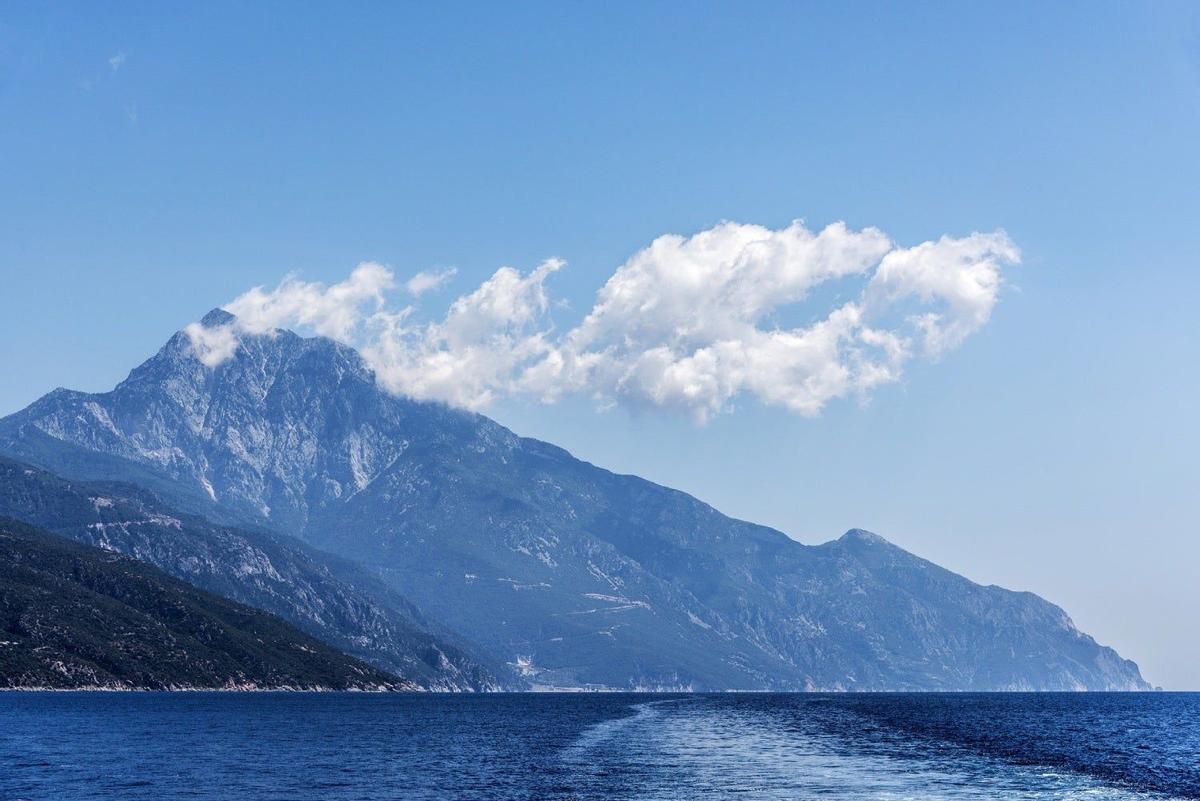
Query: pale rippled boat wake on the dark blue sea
{"x": 701, "y": 752}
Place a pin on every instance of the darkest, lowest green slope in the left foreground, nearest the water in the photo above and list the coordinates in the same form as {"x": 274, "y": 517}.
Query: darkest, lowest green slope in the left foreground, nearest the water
{"x": 75, "y": 617}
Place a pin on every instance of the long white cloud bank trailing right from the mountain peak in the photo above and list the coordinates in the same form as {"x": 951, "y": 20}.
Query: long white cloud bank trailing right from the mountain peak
{"x": 688, "y": 323}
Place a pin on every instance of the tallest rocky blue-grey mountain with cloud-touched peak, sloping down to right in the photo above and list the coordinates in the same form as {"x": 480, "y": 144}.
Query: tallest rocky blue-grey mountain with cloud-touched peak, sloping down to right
{"x": 573, "y": 575}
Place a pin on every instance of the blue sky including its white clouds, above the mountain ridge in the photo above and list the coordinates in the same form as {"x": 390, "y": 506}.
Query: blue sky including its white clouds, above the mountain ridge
{"x": 157, "y": 162}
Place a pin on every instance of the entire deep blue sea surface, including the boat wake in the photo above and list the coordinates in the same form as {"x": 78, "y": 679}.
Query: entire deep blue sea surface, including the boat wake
{"x": 335, "y": 748}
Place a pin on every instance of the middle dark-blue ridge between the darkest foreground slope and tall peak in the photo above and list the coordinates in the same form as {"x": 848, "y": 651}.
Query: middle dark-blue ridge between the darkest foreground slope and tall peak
{"x": 328, "y": 598}
